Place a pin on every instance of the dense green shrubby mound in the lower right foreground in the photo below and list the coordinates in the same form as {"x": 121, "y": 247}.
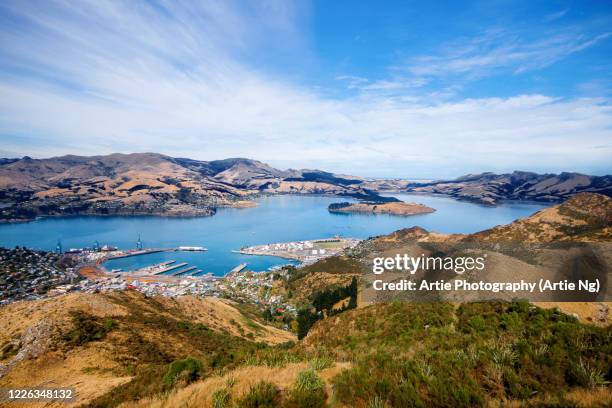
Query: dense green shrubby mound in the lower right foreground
{"x": 432, "y": 354}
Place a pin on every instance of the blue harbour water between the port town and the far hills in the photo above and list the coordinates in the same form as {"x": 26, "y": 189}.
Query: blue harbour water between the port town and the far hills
{"x": 275, "y": 219}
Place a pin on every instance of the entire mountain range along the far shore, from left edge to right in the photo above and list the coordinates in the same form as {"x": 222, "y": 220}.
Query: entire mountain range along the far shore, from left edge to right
{"x": 151, "y": 183}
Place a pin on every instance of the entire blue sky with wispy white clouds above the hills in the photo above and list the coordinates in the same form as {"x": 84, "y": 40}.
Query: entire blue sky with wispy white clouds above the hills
{"x": 394, "y": 89}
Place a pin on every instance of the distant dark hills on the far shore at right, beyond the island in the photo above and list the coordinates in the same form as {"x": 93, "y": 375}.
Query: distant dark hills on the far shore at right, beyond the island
{"x": 490, "y": 188}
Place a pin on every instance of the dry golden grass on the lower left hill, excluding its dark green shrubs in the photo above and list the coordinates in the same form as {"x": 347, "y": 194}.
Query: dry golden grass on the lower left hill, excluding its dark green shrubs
{"x": 93, "y": 369}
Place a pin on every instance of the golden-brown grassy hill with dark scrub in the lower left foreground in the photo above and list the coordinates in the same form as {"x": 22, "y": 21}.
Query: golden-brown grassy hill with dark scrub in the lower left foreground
{"x": 96, "y": 342}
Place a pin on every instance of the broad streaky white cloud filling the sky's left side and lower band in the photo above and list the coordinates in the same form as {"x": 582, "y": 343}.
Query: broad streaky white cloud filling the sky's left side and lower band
{"x": 106, "y": 77}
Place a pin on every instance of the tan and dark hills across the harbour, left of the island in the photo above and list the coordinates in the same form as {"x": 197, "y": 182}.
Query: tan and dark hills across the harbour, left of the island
{"x": 150, "y": 183}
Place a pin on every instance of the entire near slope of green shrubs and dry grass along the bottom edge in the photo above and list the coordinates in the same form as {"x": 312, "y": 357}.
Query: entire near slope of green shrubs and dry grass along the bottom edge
{"x": 392, "y": 355}
